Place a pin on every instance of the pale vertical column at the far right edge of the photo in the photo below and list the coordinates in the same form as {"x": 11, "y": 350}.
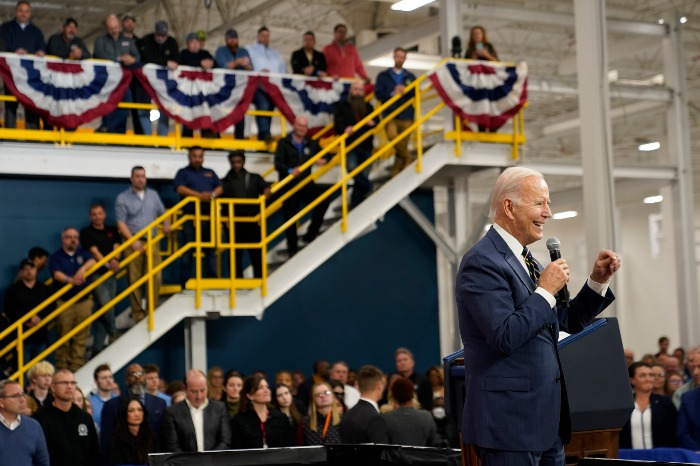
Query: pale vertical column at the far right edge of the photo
{"x": 681, "y": 191}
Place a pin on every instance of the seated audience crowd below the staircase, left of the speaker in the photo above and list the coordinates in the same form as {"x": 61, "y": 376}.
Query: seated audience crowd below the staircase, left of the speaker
{"x": 51, "y": 421}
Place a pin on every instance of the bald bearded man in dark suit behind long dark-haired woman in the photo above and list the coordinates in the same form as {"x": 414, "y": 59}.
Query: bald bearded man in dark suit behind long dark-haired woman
{"x": 135, "y": 388}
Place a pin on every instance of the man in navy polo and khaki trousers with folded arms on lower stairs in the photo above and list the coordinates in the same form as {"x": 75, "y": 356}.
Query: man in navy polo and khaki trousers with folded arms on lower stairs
{"x": 68, "y": 266}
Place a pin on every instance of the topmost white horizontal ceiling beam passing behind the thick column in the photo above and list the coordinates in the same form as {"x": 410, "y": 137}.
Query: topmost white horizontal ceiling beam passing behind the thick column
{"x": 563, "y": 19}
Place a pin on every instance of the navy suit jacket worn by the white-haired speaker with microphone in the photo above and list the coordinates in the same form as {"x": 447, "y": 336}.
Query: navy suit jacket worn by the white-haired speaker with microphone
{"x": 515, "y": 391}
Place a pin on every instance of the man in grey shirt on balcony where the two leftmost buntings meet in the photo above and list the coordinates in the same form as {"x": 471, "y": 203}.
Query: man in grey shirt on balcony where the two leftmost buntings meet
{"x": 117, "y": 47}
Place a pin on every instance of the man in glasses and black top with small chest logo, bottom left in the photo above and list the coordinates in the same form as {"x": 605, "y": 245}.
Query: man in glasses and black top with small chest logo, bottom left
{"x": 70, "y": 433}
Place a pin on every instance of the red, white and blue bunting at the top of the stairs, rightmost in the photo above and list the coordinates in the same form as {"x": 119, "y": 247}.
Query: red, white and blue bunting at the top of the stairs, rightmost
{"x": 486, "y": 93}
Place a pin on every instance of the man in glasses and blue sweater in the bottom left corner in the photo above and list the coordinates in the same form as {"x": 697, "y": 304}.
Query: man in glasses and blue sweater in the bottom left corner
{"x": 21, "y": 438}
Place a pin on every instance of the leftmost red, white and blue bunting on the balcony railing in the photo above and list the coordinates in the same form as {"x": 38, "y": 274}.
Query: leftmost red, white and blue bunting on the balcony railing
{"x": 65, "y": 93}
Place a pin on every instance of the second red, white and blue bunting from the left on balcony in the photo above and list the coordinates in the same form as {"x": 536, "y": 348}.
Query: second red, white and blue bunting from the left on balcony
{"x": 200, "y": 99}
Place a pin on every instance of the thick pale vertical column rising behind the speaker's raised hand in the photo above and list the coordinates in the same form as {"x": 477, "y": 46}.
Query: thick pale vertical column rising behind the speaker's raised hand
{"x": 596, "y": 132}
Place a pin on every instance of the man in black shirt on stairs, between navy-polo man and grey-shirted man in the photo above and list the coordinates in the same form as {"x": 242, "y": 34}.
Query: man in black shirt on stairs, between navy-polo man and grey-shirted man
{"x": 100, "y": 240}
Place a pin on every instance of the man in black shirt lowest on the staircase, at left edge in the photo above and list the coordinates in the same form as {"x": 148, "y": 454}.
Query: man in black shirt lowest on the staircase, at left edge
{"x": 23, "y": 296}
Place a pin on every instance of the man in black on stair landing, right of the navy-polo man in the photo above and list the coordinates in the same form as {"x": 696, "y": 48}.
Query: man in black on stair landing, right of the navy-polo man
{"x": 241, "y": 184}
